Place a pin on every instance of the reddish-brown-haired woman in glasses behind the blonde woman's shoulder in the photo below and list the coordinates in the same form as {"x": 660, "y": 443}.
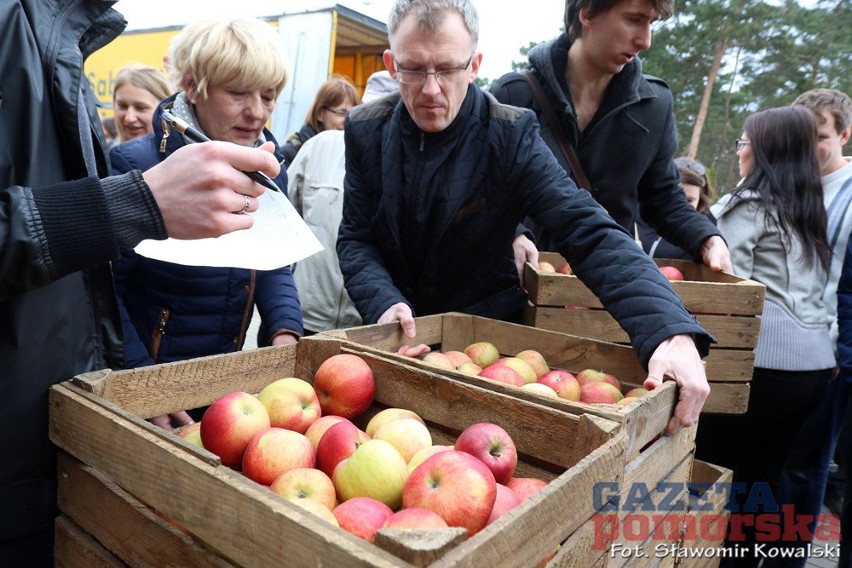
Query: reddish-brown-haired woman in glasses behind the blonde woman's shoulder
{"x": 333, "y": 100}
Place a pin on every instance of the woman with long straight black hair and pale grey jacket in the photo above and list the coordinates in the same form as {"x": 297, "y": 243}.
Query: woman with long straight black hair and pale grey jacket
{"x": 775, "y": 224}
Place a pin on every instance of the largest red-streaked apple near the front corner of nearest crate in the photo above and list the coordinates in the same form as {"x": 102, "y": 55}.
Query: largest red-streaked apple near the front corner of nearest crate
{"x": 456, "y": 485}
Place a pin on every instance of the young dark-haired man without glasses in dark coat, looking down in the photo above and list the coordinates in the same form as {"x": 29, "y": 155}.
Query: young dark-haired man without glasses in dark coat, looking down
{"x": 619, "y": 122}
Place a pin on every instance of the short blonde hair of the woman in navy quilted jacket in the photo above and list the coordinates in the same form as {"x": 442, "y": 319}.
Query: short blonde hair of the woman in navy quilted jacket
{"x": 225, "y": 52}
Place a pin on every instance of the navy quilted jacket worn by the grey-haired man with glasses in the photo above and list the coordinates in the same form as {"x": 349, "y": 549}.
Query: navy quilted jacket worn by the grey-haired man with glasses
{"x": 429, "y": 220}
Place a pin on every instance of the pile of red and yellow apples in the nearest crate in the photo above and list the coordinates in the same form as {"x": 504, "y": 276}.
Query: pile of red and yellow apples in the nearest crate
{"x": 299, "y": 439}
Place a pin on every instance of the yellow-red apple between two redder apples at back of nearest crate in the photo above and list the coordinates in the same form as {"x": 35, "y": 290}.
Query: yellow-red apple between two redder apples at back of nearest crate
{"x": 291, "y": 403}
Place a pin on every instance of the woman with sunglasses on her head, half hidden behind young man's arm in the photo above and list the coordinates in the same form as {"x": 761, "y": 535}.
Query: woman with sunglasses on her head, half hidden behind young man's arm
{"x": 699, "y": 192}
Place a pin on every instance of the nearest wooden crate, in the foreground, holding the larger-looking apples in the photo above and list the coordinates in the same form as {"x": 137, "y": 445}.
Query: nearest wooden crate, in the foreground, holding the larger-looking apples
{"x": 131, "y": 493}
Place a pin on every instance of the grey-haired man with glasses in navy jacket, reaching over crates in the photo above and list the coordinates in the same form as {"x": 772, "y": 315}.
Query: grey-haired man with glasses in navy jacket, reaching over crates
{"x": 439, "y": 176}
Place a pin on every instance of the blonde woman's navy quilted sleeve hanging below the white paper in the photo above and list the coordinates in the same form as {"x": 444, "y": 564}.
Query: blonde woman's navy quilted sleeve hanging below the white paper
{"x": 278, "y": 302}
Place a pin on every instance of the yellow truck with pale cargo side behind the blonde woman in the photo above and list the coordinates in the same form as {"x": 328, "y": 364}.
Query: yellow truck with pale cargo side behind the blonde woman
{"x": 318, "y": 41}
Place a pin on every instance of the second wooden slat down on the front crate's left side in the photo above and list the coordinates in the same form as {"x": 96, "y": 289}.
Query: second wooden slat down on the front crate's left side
{"x": 131, "y": 531}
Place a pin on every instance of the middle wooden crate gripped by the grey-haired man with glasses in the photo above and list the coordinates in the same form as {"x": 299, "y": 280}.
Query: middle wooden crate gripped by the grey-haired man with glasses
{"x": 643, "y": 420}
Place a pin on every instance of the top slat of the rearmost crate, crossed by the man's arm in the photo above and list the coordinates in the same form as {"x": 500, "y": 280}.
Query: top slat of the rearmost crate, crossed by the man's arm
{"x": 703, "y": 291}
